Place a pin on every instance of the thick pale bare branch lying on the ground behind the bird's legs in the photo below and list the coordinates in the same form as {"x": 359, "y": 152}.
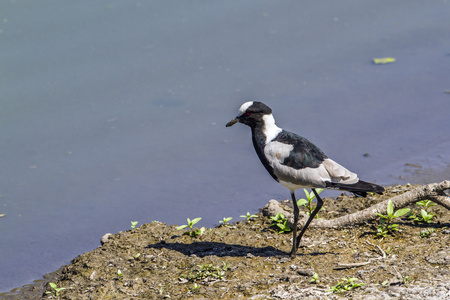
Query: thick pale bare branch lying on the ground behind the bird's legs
{"x": 433, "y": 191}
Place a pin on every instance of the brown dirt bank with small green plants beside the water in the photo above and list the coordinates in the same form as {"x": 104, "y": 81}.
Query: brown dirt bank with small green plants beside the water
{"x": 249, "y": 260}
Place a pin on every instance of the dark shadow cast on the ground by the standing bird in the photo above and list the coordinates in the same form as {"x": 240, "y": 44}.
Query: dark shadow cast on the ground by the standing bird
{"x": 202, "y": 249}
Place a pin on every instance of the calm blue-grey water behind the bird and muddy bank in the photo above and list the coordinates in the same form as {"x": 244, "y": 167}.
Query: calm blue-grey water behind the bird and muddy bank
{"x": 115, "y": 111}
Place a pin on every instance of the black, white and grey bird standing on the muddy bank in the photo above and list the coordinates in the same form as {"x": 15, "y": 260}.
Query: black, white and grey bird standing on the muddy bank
{"x": 295, "y": 162}
